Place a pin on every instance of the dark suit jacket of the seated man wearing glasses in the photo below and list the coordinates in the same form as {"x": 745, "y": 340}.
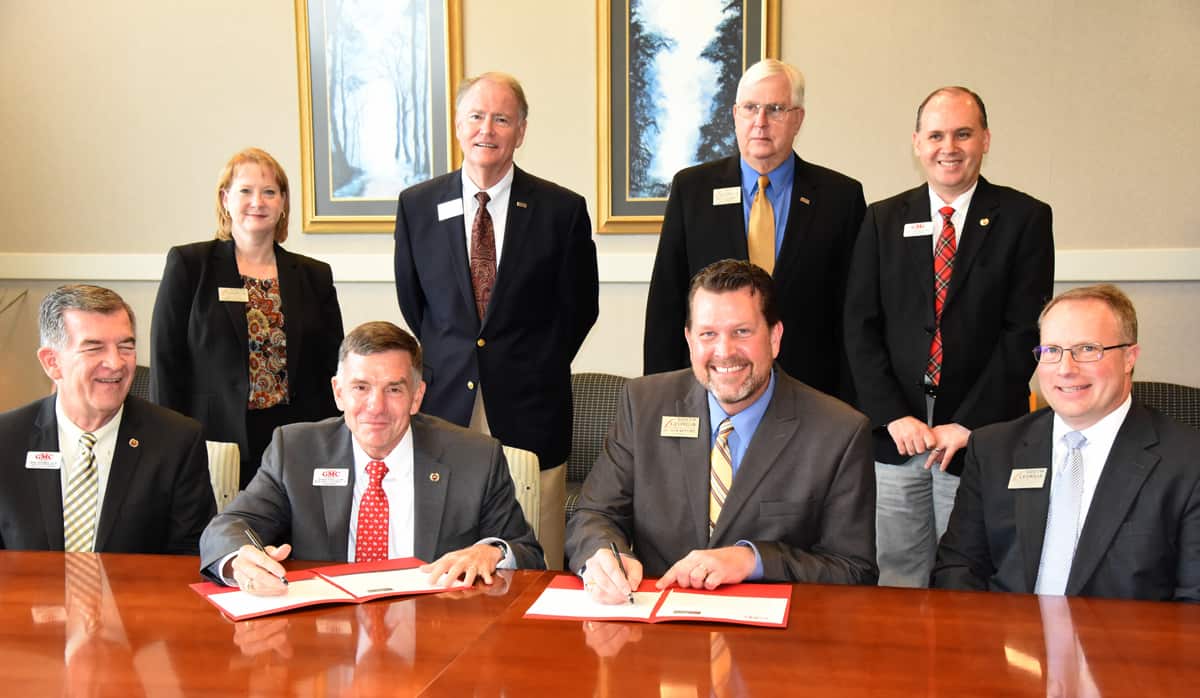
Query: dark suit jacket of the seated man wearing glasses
{"x": 1142, "y": 538}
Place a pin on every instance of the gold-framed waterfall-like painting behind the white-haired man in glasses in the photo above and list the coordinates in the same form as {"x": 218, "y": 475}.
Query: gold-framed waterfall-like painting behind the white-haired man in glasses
{"x": 668, "y": 77}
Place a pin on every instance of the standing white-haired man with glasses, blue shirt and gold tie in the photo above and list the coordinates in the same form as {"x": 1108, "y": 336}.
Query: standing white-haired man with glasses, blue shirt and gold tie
{"x": 817, "y": 215}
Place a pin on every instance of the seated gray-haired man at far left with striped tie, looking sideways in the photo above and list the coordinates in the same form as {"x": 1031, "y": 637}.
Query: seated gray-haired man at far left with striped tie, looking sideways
{"x": 151, "y": 490}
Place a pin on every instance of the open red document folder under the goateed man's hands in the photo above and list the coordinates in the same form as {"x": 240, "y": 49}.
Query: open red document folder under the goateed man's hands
{"x": 763, "y": 605}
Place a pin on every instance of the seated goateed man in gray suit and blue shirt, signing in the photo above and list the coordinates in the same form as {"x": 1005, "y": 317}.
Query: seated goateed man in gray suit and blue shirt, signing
{"x": 729, "y": 472}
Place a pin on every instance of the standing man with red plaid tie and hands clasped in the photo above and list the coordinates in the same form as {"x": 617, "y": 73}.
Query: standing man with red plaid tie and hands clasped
{"x": 1003, "y": 273}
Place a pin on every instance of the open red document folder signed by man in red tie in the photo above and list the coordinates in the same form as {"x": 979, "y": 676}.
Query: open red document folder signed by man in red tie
{"x": 350, "y": 583}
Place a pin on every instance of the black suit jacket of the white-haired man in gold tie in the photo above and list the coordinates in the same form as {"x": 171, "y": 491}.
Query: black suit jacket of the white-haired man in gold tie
{"x": 811, "y": 273}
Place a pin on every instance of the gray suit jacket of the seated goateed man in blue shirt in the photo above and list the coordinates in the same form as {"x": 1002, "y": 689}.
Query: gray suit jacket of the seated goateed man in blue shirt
{"x": 805, "y": 494}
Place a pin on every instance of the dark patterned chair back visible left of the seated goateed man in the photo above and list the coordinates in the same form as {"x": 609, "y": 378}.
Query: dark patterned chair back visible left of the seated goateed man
{"x": 595, "y": 401}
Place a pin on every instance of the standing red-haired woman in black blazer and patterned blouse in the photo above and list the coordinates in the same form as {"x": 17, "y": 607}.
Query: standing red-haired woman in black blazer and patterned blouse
{"x": 245, "y": 335}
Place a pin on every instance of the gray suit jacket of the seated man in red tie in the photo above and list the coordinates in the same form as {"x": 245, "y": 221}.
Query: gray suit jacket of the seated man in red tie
{"x": 471, "y": 498}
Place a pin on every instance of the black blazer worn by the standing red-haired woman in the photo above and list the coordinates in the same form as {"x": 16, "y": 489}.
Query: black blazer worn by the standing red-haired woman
{"x": 199, "y": 346}
